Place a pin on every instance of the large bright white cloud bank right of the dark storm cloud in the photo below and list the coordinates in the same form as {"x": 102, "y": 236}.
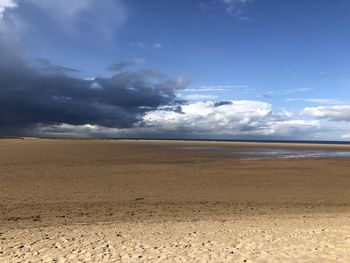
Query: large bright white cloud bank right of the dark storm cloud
{"x": 234, "y": 118}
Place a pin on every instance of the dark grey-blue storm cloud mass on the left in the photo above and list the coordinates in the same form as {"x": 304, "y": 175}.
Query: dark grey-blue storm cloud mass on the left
{"x": 47, "y": 95}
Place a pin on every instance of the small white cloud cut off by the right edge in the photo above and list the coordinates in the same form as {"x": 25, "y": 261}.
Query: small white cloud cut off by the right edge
{"x": 332, "y": 113}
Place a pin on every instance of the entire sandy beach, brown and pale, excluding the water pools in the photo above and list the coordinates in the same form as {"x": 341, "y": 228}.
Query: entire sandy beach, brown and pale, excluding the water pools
{"x": 152, "y": 201}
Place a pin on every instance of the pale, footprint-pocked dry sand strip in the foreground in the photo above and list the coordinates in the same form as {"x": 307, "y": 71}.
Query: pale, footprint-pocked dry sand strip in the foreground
{"x": 320, "y": 238}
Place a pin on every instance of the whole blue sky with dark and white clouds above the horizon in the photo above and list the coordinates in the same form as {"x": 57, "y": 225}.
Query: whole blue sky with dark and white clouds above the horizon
{"x": 199, "y": 69}
